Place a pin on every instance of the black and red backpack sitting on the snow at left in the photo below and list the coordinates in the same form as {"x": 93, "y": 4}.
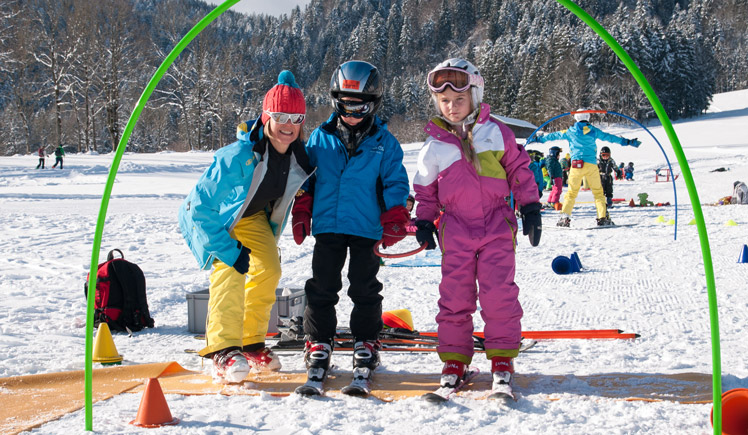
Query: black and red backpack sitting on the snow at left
{"x": 120, "y": 299}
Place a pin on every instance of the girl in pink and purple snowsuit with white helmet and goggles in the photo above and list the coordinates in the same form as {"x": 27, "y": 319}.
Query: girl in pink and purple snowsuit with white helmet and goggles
{"x": 468, "y": 166}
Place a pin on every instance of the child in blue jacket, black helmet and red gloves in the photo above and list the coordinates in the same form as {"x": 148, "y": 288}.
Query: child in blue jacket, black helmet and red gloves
{"x": 356, "y": 198}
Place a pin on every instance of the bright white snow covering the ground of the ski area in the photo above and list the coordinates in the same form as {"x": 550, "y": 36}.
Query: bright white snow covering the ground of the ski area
{"x": 637, "y": 279}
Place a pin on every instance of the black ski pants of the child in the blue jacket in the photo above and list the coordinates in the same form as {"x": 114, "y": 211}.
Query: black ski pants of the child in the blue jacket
{"x": 330, "y": 250}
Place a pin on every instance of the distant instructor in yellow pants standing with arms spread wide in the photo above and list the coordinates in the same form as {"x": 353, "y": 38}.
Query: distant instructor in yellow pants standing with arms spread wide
{"x": 582, "y": 138}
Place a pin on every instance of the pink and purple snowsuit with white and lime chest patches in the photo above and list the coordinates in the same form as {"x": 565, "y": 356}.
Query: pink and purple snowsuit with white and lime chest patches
{"x": 476, "y": 232}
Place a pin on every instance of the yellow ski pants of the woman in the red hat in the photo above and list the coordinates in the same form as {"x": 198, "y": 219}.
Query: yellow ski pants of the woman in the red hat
{"x": 239, "y": 306}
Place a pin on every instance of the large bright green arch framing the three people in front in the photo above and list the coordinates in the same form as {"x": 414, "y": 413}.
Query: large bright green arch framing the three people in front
{"x": 706, "y": 254}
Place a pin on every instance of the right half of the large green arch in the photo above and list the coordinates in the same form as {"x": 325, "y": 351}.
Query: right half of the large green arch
{"x": 692, "y": 193}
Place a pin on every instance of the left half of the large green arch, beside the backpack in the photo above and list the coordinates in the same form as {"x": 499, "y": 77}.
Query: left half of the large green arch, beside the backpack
{"x": 88, "y": 375}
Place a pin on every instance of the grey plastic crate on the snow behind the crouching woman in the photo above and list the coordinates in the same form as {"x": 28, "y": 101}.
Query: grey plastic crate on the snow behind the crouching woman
{"x": 286, "y": 306}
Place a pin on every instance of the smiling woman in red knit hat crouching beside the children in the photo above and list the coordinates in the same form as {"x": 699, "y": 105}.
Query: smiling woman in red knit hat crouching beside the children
{"x": 232, "y": 220}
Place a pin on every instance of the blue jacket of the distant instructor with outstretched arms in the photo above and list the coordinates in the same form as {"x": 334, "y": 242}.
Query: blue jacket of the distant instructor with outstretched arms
{"x": 582, "y": 137}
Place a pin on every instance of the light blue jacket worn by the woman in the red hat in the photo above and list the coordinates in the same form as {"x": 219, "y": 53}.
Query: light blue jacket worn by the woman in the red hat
{"x": 223, "y": 192}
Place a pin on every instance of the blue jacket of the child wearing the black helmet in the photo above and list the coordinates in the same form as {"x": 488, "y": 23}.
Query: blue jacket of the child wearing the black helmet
{"x": 351, "y": 192}
